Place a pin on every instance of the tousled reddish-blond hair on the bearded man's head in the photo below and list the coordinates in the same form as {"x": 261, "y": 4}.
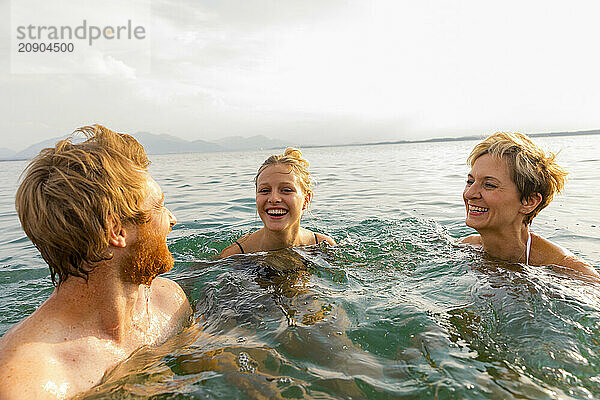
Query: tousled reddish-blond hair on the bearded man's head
{"x": 70, "y": 194}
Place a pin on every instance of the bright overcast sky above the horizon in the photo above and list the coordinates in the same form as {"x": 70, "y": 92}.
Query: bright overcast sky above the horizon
{"x": 327, "y": 71}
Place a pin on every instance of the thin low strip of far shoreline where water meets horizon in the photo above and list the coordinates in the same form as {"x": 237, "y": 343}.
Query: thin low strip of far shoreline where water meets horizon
{"x": 433, "y": 140}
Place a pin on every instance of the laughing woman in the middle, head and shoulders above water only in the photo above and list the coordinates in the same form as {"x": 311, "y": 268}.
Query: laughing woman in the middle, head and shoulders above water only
{"x": 283, "y": 194}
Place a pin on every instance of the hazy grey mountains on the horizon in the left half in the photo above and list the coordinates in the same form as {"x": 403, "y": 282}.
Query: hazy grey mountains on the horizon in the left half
{"x": 163, "y": 144}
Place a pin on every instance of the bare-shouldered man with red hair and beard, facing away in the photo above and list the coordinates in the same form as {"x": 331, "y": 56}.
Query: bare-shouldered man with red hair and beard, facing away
{"x": 100, "y": 223}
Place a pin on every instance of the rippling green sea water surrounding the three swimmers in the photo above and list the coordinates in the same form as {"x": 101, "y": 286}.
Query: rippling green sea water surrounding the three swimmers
{"x": 396, "y": 310}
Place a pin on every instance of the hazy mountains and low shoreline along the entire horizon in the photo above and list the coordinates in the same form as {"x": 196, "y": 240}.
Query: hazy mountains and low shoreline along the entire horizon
{"x": 167, "y": 144}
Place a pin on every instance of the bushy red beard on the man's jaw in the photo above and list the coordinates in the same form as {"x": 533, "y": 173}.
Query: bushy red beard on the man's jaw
{"x": 148, "y": 258}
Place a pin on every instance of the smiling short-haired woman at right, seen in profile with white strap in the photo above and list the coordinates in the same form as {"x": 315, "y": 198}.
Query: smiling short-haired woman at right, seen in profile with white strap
{"x": 510, "y": 182}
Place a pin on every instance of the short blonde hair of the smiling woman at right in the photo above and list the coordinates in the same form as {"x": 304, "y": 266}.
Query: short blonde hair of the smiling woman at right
{"x": 531, "y": 169}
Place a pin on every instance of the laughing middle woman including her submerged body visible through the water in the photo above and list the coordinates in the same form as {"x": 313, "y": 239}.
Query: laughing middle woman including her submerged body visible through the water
{"x": 283, "y": 194}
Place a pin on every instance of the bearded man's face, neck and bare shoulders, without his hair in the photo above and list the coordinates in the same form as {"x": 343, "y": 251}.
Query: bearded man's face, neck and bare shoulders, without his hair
{"x": 83, "y": 329}
